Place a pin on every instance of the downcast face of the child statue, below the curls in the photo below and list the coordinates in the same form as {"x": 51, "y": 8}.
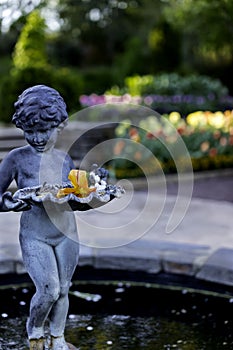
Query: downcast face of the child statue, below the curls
{"x": 41, "y": 138}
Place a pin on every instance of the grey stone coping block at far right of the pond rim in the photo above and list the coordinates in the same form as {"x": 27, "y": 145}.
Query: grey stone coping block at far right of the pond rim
{"x": 218, "y": 267}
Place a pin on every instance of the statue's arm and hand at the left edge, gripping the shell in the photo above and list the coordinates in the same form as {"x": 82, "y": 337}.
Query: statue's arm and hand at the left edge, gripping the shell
{"x": 7, "y": 175}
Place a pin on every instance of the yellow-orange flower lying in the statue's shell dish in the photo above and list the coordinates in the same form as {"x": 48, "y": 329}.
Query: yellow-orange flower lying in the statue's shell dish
{"x": 80, "y": 187}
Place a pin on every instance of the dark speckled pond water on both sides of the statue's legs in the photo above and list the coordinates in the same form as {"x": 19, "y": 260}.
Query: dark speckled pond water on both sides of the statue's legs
{"x": 144, "y": 318}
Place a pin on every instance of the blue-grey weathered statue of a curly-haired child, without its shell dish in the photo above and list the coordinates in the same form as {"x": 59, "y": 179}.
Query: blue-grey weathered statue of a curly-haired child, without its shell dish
{"x": 49, "y": 256}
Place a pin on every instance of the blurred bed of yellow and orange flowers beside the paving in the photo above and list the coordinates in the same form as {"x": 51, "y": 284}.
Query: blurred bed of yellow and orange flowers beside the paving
{"x": 159, "y": 144}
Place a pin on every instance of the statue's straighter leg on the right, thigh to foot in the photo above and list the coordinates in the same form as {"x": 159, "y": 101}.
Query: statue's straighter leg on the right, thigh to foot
{"x": 67, "y": 253}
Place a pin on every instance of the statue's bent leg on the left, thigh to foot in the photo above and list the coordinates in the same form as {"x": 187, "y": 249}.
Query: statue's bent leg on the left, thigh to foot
{"x": 40, "y": 262}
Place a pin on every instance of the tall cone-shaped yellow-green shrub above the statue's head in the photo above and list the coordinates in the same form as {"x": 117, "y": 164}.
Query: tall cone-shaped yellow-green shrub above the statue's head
{"x": 30, "y": 49}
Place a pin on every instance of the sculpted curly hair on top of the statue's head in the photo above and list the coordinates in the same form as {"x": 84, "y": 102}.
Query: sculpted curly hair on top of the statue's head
{"x": 40, "y": 105}
